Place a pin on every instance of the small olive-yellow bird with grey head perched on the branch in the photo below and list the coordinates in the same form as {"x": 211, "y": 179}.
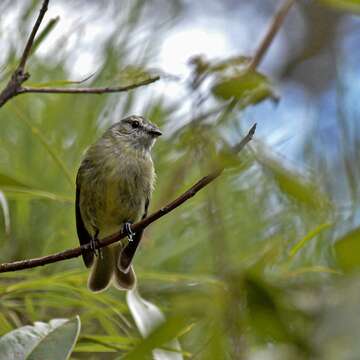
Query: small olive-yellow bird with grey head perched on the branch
{"x": 113, "y": 190}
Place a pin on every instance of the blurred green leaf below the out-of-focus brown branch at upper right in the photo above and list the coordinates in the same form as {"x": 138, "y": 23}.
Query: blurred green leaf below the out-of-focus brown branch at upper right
{"x": 249, "y": 86}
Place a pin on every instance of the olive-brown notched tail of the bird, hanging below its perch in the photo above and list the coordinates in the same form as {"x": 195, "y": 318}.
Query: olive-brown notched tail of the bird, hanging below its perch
{"x": 105, "y": 269}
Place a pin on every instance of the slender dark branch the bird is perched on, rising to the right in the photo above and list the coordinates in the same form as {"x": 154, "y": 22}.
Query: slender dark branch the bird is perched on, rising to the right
{"x": 72, "y": 253}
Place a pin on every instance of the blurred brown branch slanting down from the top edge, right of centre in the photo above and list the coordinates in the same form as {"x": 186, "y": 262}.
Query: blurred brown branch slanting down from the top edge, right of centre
{"x": 270, "y": 34}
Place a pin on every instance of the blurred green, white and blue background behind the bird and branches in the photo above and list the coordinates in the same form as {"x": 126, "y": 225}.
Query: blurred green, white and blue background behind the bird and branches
{"x": 262, "y": 264}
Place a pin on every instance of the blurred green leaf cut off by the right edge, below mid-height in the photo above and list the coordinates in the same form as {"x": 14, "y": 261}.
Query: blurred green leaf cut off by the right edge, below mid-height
{"x": 347, "y": 250}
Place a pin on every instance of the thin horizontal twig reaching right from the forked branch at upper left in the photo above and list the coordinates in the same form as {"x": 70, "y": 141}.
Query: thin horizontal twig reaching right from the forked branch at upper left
{"x": 99, "y": 90}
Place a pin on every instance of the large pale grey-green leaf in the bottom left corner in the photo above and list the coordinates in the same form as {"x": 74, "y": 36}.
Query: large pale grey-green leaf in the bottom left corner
{"x": 42, "y": 341}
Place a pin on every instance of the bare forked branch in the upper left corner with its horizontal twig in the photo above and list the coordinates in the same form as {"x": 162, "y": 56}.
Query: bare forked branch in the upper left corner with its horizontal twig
{"x": 19, "y": 76}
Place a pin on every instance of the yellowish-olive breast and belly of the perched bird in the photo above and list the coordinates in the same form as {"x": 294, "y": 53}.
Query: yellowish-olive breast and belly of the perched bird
{"x": 115, "y": 195}
